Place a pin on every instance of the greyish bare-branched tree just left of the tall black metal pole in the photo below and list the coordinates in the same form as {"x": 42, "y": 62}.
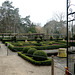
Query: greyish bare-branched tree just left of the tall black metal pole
{"x": 56, "y": 25}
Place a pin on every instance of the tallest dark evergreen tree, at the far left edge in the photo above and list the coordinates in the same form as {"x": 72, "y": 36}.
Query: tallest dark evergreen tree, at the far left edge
{"x": 9, "y": 17}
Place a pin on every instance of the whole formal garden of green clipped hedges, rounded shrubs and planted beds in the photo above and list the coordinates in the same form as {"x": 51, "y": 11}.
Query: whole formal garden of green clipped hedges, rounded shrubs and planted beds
{"x": 32, "y": 50}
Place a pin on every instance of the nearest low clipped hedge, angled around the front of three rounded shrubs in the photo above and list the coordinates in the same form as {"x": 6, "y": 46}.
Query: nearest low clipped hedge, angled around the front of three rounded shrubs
{"x": 39, "y": 63}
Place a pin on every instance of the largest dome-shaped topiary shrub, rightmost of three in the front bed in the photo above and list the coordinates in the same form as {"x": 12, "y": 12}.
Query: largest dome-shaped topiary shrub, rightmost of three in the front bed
{"x": 39, "y": 55}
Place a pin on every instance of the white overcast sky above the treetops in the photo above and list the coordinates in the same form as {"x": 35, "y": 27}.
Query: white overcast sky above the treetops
{"x": 40, "y": 11}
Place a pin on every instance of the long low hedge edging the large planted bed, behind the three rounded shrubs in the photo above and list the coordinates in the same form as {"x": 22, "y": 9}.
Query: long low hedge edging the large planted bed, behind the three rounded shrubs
{"x": 14, "y": 48}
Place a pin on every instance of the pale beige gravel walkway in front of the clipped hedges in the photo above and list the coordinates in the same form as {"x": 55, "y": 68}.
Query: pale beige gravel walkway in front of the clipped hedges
{"x": 15, "y": 65}
